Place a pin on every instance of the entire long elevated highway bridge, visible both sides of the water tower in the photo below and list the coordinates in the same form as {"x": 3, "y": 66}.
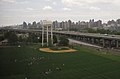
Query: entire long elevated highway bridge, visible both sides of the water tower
{"x": 111, "y": 41}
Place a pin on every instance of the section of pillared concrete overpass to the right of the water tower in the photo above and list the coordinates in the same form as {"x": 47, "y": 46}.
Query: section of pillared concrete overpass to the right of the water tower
{"x": 92, "y": 38}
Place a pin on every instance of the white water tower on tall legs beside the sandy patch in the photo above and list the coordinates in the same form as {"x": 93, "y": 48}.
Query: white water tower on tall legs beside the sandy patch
{"x": 46, "y": 25}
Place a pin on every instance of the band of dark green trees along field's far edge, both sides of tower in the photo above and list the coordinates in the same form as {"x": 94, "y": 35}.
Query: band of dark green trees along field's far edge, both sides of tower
{"x": 30, "y": 38}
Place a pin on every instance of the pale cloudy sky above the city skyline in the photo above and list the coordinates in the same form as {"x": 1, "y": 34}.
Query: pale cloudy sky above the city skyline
{"x": 16, "y": 11}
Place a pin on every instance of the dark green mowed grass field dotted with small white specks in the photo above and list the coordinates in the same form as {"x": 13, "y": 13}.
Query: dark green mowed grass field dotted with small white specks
{"x": 28, "y": 62}
